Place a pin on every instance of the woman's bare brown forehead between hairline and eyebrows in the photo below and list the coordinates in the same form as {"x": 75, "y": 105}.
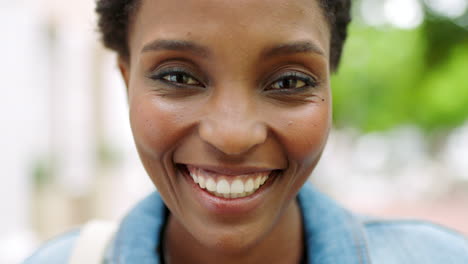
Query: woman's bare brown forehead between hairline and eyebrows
{"x": 243, "y": 24}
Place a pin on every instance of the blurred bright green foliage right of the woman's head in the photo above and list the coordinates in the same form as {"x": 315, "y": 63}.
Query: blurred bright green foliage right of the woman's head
{"x": 390, "y": 77}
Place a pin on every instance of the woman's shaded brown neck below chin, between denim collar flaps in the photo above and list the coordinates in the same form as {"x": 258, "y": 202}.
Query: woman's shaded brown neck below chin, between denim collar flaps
{"x": 283, "y": 244}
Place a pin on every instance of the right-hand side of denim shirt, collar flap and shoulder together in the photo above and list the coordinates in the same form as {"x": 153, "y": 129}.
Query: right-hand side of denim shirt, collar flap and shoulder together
{"x": 340, "y": 236}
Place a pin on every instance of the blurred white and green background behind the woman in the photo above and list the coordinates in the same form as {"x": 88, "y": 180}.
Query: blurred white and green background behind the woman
{"x": 399, "y": 148}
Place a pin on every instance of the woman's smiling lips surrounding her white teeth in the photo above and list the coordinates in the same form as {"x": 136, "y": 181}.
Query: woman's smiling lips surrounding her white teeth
{"x": 229, "y": 205}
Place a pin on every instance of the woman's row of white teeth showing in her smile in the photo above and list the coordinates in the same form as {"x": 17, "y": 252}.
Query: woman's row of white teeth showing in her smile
{"x": 222, "y": 186}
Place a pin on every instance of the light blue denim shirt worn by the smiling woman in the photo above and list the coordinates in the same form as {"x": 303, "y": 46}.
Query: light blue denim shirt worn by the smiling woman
{"x": 333, "y": 235}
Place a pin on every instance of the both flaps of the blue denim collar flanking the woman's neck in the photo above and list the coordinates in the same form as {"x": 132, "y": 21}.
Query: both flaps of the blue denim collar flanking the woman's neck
{"x": 332, "y": 234}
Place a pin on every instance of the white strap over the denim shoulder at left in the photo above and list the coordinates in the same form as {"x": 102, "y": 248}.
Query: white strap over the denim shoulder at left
{"x": 92, "y": 243}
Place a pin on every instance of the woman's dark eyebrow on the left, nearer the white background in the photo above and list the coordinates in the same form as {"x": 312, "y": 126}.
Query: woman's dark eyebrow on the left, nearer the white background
{"x": 176, "y": 45}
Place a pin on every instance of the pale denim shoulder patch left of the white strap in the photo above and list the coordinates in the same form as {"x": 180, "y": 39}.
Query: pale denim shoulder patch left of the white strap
{"x": 56, "y": 250}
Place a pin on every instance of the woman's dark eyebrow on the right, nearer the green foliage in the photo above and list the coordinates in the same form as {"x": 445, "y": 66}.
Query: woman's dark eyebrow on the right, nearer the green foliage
{"x": 293, "y": 48}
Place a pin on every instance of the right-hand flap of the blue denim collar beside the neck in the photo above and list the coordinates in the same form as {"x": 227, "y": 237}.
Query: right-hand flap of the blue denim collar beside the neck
{"x": 333, "y": 235}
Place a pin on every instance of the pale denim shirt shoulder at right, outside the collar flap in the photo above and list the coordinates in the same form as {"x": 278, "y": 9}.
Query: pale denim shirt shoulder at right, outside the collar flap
{"x": 405, "y": 241}
